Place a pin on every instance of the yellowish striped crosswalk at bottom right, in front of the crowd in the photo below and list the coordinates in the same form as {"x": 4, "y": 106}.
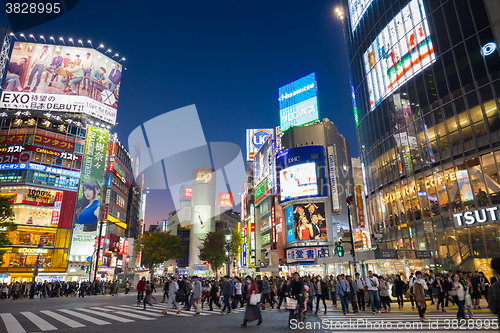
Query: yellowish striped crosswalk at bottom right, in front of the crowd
{"x": 406, "y": 321}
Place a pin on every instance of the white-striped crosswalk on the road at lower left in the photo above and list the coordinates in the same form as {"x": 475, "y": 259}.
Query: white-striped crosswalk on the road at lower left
{"x": 46, "y": 320}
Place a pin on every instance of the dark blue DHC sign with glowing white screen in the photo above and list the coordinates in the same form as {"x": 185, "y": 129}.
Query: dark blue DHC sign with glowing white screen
{"x": 301, "y": 173}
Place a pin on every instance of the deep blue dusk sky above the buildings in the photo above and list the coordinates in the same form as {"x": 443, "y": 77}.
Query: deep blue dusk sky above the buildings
{"x": 228, "y": 58}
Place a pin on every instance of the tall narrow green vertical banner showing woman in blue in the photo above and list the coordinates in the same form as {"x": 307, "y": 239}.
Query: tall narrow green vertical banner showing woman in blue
{"x": 89, "y": 195}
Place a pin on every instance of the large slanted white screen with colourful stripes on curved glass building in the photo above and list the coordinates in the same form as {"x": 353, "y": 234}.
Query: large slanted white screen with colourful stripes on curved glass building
{"x": 401, "y": 50}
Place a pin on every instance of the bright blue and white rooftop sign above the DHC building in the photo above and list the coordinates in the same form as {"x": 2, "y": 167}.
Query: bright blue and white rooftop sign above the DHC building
{"x": 298, "y": 102}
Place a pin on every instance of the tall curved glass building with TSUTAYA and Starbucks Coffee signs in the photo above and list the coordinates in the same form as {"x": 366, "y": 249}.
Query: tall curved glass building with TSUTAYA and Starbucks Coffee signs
{"x": 425, "y": 79}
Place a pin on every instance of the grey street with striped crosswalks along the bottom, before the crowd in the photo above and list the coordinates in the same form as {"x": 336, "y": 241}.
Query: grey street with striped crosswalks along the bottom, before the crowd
{"x": 120, "y": 314}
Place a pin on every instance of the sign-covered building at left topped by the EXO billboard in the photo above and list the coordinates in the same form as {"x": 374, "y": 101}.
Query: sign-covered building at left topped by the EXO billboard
{"x": 57, "y": 105}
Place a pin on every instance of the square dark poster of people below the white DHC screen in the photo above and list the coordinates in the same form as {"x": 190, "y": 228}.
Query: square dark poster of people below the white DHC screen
{"x": 309, "y": 221}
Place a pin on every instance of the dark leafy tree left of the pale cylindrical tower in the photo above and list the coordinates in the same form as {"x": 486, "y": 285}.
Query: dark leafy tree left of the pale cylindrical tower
{"x": 158, "y": 247}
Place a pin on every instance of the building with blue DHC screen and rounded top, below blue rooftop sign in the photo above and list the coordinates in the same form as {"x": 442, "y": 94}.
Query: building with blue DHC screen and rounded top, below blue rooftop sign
{"x": 314, "y": 176}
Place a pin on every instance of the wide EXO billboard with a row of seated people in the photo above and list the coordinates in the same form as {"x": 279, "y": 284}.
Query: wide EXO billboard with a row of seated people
{"x": 63, "y": 78}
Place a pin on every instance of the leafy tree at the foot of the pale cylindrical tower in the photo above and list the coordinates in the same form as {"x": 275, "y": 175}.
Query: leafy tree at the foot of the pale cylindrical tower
{"x": 213, "y": 248}
